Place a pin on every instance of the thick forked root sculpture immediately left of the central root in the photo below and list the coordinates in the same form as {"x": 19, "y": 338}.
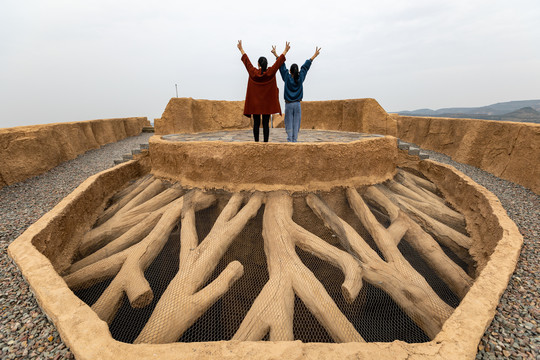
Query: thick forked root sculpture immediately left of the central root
{"x": 183, "y": 302}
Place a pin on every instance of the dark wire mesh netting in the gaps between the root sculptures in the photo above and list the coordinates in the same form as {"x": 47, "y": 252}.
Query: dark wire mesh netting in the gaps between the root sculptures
{"x": 374, "y": 314}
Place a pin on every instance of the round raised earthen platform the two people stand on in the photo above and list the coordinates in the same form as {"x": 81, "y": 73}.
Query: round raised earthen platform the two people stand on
{"x": 231, "y": 160}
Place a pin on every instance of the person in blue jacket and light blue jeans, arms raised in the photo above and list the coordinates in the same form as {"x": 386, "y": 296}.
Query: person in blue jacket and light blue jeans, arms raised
{"x": 294, "y": 92}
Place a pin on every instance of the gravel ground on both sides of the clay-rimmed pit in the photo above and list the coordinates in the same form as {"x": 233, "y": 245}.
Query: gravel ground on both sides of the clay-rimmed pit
{"x": 26, "y": 333}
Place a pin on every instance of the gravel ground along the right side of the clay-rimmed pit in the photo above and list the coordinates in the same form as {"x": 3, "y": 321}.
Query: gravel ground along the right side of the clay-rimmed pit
{"x": 514, "y": 332}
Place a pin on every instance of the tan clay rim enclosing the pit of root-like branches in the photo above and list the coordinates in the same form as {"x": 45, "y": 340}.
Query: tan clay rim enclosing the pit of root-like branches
{"x": 496, "y": 248}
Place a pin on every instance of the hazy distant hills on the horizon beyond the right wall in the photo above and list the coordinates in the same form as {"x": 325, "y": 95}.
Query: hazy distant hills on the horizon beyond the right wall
{"x": 523, "y": 110}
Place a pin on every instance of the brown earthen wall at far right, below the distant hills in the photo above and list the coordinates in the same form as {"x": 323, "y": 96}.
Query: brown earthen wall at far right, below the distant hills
{"x": 508, "y": 150}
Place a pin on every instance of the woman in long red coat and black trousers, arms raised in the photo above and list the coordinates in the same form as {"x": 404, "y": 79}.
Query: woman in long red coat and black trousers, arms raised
{"x": 262, "y": 95}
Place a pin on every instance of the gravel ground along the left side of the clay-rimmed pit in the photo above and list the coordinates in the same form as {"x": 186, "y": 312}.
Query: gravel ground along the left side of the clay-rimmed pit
{"x": 25, "y": 332}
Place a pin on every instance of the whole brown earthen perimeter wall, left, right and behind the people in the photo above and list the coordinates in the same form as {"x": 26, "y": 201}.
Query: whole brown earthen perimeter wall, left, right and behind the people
{"x": 506, "y": 149}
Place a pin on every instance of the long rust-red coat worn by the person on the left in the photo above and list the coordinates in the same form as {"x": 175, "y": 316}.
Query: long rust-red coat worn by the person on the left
{"x": 262, "y": 95}
